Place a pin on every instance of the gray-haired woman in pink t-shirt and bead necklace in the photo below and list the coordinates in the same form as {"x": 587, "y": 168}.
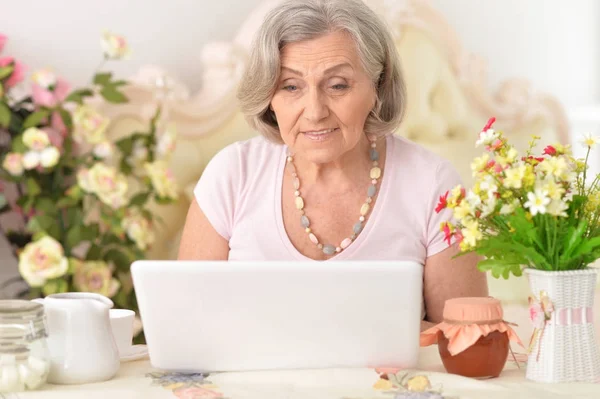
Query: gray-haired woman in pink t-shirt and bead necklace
{"x": 328, "y": 180}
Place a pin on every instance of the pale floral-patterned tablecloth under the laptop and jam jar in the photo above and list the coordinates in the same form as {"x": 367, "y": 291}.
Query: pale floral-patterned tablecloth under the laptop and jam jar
{"x": 140, "y": 380}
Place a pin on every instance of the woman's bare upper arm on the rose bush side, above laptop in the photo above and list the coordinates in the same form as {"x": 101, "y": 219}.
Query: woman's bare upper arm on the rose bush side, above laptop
{"x": 199, "y": 240}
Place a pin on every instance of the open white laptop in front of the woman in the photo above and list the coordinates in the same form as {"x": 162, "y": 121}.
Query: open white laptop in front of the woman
{"x": 203, "y": 316}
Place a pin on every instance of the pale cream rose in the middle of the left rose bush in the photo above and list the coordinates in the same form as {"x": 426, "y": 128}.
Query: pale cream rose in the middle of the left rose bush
{"x": 106, "y": 182}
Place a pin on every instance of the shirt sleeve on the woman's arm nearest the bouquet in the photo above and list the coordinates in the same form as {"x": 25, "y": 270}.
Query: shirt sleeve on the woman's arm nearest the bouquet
{"x": 446, "y": 178}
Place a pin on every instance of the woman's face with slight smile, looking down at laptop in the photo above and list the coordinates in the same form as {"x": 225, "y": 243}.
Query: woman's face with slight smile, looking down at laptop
{"x": 323, "y": 97}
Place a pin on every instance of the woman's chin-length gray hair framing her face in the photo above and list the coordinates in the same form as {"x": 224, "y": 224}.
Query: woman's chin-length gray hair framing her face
{"x": 299, "y": 20}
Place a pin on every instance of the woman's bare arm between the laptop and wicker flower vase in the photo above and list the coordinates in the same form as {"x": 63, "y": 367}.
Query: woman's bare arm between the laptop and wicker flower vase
{"x": 446, "y": 278}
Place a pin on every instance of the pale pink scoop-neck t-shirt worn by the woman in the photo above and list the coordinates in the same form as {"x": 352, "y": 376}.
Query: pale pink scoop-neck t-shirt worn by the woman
{"x": 240, "y": 194}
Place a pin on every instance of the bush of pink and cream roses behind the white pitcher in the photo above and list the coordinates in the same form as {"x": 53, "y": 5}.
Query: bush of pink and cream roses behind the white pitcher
{"x": 83, "y": 201}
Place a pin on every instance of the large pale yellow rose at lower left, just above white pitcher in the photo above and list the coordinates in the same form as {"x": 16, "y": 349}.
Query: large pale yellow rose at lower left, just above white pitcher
{"x": 42, "y": 260}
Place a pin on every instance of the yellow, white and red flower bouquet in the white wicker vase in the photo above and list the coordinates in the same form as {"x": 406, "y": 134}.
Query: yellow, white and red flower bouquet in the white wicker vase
{"x": 526, "y": 211}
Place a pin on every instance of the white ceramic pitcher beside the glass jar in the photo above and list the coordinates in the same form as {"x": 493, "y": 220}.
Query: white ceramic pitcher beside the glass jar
{"x": 80, "y": 340}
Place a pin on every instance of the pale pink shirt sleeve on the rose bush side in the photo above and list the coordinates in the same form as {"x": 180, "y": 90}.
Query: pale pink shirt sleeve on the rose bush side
{"x": 218, "y": 189}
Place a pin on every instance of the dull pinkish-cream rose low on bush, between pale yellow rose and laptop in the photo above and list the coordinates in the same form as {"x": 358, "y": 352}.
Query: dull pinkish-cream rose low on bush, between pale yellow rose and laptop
{"x": 94, "y": 276}
